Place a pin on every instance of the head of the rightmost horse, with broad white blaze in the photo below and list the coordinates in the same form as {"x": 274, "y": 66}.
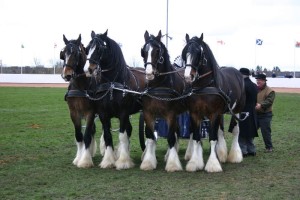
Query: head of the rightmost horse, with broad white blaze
{"x": 194, "y": 58}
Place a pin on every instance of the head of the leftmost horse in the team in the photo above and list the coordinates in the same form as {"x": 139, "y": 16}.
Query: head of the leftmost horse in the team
{"x": 74, "y": 58}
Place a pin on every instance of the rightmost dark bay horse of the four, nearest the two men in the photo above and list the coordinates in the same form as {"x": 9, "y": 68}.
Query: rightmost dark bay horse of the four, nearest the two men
{"x": 215, "y": 91}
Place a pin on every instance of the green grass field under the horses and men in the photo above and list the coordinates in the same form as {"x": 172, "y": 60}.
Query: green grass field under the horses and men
{"x": 37, "y": 147}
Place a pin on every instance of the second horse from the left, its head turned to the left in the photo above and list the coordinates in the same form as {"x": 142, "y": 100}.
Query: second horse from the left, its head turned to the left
{"x": 118, "y": 95}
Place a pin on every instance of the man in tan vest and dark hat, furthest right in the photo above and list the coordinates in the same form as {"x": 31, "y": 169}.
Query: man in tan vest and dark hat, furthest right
{"x": 265, "y": 100}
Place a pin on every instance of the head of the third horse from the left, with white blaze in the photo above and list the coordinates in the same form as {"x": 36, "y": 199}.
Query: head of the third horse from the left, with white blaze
{"x": 154, "y": 55}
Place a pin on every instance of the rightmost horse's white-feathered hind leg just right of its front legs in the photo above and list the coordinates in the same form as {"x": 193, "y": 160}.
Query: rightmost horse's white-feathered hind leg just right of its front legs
{"x": 221, "y": 147}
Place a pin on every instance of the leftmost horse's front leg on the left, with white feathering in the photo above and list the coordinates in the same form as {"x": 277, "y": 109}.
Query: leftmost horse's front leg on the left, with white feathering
{"x": 76, "y": 119}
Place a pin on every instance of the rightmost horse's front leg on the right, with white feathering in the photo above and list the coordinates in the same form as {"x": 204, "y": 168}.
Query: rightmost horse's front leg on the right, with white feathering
{"x": 213, "y": 164}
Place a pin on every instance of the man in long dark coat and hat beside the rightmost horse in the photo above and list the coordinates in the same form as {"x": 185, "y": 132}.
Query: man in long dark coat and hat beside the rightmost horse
{"x": 248, "y": 127}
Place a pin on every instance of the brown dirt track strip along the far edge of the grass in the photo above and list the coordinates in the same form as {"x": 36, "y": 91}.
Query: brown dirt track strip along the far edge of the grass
{"x": 65, "y": 85}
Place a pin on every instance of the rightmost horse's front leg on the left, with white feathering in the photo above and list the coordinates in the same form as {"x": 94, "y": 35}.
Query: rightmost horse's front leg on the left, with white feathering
{"x": 196, "y": 160}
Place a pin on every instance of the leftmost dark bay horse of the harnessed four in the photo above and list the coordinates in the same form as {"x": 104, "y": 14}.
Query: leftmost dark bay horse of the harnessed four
{"x": 80, "y": 107}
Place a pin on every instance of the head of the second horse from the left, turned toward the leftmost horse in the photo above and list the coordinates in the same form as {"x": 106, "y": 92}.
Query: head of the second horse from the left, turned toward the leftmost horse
{"x": 95, "y": 52}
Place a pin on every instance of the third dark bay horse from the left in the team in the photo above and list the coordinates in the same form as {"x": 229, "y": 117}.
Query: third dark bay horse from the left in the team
{"x": 163, "y": 99}
